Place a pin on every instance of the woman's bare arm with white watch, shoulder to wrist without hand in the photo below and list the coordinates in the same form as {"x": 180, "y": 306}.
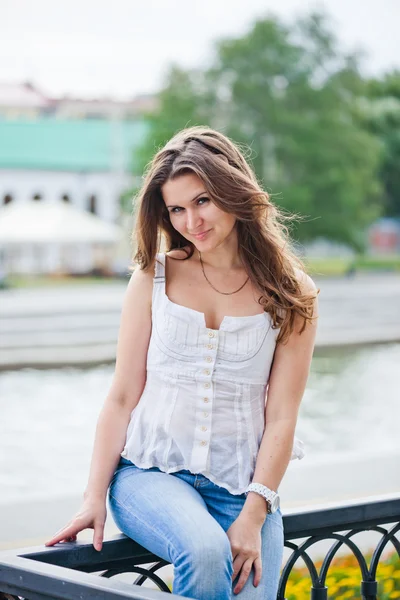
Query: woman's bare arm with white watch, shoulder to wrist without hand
{"x": 287, "y": 383}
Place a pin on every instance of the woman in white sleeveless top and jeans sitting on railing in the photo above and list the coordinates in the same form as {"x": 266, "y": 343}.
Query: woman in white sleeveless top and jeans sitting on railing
{"x": 214, "y": 350}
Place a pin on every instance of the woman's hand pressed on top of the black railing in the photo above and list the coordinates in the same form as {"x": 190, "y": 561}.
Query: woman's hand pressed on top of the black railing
{"x": 92, "y": 515}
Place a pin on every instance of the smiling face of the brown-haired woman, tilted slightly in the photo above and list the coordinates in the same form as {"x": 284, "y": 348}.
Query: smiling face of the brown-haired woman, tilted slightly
{"x": 194, "y": 215}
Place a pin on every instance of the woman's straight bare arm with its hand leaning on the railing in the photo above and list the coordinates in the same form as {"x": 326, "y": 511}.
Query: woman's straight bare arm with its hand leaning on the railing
{"x": 126, "y": 388}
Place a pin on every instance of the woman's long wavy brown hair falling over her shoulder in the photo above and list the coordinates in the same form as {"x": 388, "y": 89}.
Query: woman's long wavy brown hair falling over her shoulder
{"x": 264, "y": 241}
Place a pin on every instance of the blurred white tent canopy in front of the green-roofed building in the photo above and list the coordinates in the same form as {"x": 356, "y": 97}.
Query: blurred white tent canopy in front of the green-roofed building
{"x": 44, "y": 222}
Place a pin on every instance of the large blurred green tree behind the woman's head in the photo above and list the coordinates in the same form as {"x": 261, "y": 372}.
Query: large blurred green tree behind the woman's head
{"x": 290, "y": 95}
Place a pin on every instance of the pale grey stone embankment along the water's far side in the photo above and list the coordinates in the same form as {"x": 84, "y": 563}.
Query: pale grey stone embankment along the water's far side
{"x": 78, "y": 324}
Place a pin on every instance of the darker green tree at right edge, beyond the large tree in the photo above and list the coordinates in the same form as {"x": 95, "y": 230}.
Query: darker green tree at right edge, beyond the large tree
{"x": 381, "y": 116}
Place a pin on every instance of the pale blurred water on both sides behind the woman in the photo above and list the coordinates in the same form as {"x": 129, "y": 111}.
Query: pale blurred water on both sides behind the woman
{"x": 48, "y": 417}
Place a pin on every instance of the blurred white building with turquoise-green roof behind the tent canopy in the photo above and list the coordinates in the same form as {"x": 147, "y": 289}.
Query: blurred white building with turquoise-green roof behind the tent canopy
{"x": 83, "y": 162}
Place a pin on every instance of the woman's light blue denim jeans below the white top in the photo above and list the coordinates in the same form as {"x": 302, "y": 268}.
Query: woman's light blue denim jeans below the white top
{"x": 182, "y": 518}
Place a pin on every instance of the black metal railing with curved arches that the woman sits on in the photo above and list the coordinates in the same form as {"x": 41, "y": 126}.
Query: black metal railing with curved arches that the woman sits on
{"x": 75, "y": 570}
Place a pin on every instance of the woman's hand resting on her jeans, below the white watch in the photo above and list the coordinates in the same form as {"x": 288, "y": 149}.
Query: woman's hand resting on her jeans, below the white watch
{"x": 245, "y": 538}
